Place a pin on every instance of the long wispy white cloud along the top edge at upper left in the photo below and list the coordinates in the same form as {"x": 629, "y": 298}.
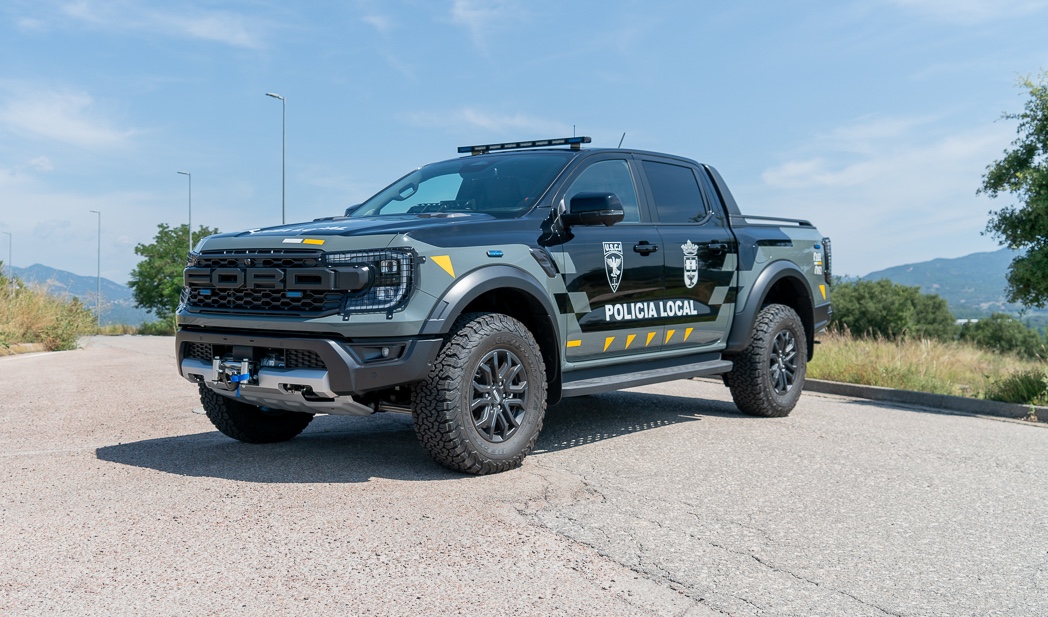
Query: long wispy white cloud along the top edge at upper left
{"x": 220, "y": 27}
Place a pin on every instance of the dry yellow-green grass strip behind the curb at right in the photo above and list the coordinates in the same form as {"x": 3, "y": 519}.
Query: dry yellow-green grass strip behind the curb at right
{"x": 928, "y": 366}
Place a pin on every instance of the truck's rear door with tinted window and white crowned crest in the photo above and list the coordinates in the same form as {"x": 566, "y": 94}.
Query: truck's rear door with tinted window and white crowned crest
{"x": 701, "y": 255}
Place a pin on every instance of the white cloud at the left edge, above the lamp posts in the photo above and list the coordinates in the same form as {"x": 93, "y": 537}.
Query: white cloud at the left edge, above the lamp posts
{"x": 69, "y": 118}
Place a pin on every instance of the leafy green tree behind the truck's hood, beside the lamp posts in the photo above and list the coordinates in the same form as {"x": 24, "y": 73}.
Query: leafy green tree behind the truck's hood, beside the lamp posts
{"x": 157, "y": 282}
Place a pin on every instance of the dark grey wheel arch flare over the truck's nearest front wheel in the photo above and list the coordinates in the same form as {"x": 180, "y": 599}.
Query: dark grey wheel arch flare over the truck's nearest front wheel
{"x": 512, "y": 292}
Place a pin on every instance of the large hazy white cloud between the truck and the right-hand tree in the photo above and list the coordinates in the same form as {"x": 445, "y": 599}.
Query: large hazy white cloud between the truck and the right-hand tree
{"x": 888, "y": 190}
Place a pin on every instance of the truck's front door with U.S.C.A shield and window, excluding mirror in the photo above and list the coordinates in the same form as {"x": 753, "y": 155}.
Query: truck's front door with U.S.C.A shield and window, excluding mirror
{"x": 613, "y": 274}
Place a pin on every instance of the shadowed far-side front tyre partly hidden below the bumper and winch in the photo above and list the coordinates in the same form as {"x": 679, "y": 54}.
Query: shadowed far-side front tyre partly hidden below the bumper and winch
{"x": 250, "y": 424}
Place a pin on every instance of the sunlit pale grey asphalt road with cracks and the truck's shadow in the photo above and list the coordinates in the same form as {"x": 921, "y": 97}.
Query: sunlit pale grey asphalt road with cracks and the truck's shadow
{"x": 117, "y": 499}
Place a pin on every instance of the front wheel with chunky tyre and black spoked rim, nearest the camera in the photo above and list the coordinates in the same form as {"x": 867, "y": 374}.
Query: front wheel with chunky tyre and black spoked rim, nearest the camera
{"x": 466, "y": 423}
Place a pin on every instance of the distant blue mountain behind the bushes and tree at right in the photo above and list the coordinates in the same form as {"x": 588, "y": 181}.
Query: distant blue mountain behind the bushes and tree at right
{"x": 973, "y": 285}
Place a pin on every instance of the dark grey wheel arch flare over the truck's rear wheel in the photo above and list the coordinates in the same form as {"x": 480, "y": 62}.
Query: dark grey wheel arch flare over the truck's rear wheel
{"x": 782, "y": 283}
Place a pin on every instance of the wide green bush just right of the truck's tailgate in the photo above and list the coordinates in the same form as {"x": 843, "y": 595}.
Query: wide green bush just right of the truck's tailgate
{"x": 883, "y": 308}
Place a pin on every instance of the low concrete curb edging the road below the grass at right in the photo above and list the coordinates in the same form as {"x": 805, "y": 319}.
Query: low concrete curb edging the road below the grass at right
{"x": 940, "y": 402}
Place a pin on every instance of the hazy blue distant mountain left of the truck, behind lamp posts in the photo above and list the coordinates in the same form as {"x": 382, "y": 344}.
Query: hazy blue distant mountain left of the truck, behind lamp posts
{"x": 118, "y": 302}
